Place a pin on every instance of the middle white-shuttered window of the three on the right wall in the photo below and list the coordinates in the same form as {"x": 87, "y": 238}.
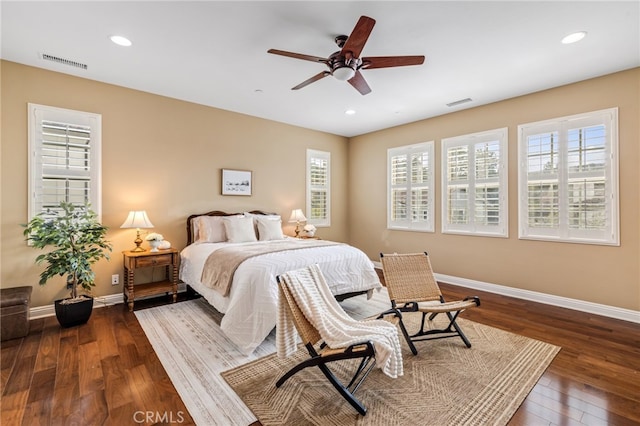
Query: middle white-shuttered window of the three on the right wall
{"x": 474, "y": 184}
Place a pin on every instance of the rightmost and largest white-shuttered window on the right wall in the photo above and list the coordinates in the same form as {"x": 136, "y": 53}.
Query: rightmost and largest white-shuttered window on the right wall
{"x": 568, "y": 179}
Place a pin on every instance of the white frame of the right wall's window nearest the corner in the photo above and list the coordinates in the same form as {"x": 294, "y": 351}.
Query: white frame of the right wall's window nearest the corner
{"x": 428, "y": 225}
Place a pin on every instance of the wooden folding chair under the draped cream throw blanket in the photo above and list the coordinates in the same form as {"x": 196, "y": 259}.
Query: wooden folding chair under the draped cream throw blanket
{"x": 321, "y": 354}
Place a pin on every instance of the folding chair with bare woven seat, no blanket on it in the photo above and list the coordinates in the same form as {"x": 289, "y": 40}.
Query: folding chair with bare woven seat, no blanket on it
{"x": 412, "y": 287}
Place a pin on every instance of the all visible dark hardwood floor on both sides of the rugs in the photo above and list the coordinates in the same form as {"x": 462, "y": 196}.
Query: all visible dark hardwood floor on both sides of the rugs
{"x": 106, "y": 372}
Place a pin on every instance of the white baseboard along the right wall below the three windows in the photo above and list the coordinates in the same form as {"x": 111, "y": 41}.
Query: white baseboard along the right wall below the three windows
{"x": 548, "y": 299}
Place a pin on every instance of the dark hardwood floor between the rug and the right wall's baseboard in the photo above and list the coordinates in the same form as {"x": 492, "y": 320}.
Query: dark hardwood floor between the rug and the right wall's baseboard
{"x": 594, "y": 379}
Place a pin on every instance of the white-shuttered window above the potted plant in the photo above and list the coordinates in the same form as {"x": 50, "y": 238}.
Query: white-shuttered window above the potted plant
{"x": 64, "y": 158}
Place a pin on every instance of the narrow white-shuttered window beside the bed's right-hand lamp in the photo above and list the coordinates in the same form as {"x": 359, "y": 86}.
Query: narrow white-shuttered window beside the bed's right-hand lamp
{"x": 318, "y": 188}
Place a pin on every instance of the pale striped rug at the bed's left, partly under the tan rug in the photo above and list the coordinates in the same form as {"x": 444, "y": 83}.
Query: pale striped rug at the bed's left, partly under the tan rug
{"x": 193, "y": 350}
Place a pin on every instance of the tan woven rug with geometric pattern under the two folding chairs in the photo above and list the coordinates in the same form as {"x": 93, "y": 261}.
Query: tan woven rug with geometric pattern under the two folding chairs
{"x": 446, "y": 384}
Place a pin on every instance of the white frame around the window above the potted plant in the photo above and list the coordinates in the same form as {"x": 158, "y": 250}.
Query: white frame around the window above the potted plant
{"x": 36, "y": 115}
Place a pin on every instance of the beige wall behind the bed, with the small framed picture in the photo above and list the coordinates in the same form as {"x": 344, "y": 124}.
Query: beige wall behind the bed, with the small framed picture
{"x": 161, "y": 155}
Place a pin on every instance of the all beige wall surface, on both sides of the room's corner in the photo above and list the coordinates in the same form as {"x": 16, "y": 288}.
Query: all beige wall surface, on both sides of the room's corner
{"x": 191, "y": 143}
